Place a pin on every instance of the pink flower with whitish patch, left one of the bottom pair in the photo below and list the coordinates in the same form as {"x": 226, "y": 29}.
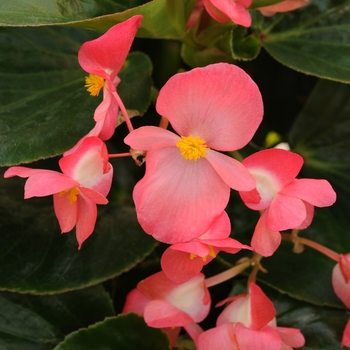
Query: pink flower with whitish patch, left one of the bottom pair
{"x": 165, "y": 304}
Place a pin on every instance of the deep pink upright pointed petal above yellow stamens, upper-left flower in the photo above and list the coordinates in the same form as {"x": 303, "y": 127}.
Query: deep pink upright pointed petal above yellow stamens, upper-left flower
{"x": 105, "y": 55}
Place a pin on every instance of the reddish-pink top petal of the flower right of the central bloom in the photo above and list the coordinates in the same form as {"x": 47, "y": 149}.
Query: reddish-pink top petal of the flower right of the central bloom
{"x": 280, "y": 165}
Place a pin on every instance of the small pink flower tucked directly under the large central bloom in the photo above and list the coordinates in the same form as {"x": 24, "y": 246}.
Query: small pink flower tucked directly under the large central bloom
{"x": 182, "y": 261}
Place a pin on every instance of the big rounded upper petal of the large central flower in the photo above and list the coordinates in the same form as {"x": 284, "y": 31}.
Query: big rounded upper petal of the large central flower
{"x": 220, "y": 103}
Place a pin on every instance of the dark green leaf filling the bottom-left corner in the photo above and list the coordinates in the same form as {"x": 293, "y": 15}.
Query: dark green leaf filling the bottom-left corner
{"x": 40, "y": 322}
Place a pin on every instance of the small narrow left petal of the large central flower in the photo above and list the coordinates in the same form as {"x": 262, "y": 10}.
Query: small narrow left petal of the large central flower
{"x": 151, "y": 137}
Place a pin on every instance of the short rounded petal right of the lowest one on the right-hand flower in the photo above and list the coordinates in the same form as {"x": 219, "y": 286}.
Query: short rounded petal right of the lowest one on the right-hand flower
{"x": 285, "y": 213}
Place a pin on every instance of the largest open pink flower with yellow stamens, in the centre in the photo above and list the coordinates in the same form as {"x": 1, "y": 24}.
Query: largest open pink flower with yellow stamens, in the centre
{"x": 187, "y": 183}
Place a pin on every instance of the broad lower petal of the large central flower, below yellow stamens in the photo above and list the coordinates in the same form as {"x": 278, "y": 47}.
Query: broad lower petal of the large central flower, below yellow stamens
{"x": 178, "y": 199}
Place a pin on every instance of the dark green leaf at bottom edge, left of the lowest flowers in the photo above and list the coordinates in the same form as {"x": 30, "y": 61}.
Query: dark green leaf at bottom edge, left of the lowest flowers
{"x": 123, "y": 332}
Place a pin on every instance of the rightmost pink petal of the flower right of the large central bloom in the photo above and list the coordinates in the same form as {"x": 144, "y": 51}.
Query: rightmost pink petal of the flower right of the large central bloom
{"x": 316, "y": 192}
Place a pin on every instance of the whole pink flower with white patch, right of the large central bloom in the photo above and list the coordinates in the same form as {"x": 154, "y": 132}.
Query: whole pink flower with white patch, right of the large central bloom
{"x": 286, "y": 202}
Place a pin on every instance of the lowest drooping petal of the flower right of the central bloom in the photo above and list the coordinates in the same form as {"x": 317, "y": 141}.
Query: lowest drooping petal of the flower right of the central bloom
{"x": 265, "y": 241}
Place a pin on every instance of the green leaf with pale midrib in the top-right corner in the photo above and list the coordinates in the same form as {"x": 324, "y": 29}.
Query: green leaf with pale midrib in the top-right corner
{"x": 313, "y": 40}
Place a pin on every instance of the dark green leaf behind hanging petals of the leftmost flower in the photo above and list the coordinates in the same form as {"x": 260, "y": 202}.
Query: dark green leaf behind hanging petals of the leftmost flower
{"x": 36, "y": 258}
